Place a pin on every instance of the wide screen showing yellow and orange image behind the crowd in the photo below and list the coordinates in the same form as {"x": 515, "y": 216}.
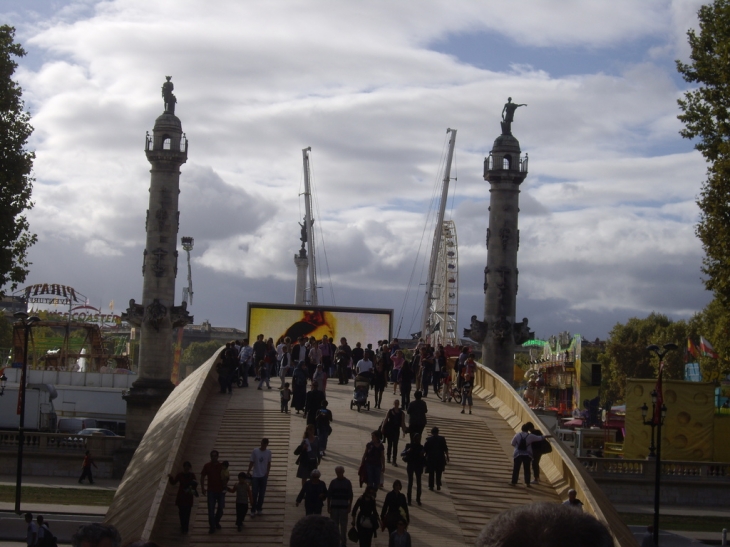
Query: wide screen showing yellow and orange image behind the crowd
{"x": 365, "y": 325}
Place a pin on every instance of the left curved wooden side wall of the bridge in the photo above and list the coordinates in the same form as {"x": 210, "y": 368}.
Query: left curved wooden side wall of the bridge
{"x": 135, "y": 507}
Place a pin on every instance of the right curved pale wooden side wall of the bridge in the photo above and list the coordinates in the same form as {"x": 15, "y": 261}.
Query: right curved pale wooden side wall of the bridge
{"x": 564, "y": 469}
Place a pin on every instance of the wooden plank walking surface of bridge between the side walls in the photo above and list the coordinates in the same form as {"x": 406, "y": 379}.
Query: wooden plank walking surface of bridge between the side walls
{"x": 475, "y": 482}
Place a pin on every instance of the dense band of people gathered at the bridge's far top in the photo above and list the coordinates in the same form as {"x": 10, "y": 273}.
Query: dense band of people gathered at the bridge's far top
{"x": 308, "y": 361}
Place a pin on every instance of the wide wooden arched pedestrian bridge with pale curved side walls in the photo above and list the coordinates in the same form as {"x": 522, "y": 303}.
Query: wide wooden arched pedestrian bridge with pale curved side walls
{"x": 197, "y": 418}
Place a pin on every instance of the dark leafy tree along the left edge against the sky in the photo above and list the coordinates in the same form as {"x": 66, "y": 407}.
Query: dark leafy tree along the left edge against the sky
{"x": 16, "y": 164}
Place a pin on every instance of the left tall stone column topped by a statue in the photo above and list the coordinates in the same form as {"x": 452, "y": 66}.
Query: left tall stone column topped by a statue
{"x": 157, "y": 316}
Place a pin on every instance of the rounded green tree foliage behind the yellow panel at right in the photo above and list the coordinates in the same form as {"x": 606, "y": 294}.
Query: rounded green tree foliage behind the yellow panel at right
{"x": 626, "y": 355}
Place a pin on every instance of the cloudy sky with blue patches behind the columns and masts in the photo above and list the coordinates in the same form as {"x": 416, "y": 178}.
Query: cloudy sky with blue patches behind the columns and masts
{"x": 607, "y": 211}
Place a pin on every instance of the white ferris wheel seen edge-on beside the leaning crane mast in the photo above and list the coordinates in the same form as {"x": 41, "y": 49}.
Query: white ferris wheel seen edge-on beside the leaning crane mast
{"x": 445, "y": 297}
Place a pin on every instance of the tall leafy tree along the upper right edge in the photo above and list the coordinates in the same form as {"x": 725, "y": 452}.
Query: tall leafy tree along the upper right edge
{"x": 706, "y": 117}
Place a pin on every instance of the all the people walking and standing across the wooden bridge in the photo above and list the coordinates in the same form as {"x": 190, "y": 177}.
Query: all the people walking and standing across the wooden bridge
{"x": 311, "y": 363}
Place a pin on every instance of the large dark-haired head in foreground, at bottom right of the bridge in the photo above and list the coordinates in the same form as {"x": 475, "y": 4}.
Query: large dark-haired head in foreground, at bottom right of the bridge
{"x": 544, "y": 525}
